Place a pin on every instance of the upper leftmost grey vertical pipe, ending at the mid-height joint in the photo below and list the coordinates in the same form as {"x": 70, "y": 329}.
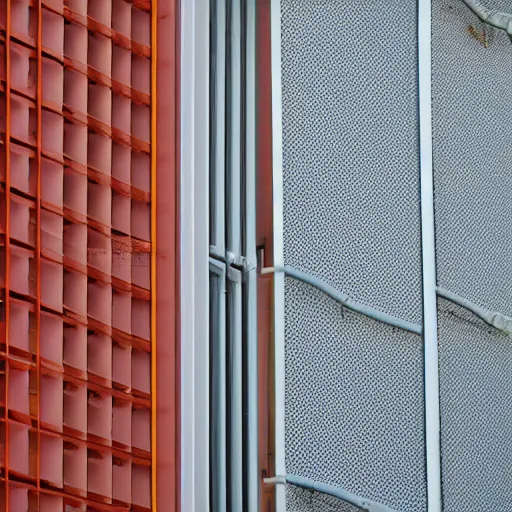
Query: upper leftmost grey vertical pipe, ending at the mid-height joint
{"x": 220, "y": 126}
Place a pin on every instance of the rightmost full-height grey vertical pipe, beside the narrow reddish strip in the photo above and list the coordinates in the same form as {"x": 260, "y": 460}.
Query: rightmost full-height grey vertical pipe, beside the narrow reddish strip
{"x": 251, "y": 303}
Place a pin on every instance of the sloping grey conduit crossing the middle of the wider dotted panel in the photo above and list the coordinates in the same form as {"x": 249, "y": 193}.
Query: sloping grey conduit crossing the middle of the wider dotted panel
{"x": 345, "y": 300}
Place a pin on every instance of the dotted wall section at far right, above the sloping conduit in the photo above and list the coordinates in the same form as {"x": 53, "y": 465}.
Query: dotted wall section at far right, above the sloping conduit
{"x": 471, "y": 88}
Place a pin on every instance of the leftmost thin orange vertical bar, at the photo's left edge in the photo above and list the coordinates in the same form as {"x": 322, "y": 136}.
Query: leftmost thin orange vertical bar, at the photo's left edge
{"x": 7, "y": 236}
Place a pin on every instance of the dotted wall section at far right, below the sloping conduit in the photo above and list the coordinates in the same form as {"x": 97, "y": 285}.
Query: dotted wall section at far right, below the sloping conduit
{"x": 476, "y": 418}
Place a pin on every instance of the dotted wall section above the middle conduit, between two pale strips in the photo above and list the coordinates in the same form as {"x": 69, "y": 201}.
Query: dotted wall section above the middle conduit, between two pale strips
{"x": 350, "y": 148}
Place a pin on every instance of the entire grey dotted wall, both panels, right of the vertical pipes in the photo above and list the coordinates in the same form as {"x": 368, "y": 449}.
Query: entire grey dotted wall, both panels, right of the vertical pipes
{"x": 354, "y": 407}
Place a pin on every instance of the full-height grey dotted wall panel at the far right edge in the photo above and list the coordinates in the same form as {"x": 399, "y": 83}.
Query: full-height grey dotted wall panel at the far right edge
{"x": 473, "y": 214}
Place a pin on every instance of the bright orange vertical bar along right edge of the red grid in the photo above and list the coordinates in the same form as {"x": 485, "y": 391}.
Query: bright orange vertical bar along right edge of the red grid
{"x": 153, "y": 254}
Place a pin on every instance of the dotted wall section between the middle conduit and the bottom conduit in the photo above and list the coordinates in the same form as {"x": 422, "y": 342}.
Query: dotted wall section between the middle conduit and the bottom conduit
{"x": 354, "y": 408}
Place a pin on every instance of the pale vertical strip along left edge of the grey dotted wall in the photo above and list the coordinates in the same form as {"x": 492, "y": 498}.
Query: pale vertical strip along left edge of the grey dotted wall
{"x": 277, "y": 181}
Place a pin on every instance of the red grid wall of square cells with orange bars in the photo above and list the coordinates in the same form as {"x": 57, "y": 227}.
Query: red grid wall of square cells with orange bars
{"x": 75, "y": 217}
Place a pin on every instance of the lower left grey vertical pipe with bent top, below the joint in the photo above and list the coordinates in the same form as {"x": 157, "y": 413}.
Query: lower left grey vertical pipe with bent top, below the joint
{"x": 219, "y": 477}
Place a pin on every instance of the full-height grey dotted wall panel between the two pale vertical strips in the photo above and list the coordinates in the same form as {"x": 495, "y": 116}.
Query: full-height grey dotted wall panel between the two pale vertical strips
{"x": 354, "y": 387}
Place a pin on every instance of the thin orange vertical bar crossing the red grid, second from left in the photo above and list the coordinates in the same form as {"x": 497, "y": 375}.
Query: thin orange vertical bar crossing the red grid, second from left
{"x": 38, "y": 243}
